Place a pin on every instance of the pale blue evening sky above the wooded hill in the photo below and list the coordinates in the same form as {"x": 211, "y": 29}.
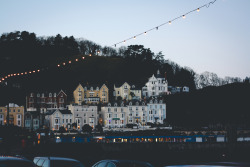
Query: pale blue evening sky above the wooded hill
{"x": 215, "y": 39}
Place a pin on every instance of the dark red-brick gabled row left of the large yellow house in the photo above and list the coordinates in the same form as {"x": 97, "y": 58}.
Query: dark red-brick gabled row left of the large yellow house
{"x": 46, "y": 101}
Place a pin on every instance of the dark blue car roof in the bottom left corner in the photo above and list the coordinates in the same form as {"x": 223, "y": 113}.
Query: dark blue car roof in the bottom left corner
{"x": 8, "y": 161}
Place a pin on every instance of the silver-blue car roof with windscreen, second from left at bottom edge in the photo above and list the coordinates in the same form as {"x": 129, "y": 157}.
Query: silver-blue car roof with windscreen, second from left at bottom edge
{"x": 56, "y": 162}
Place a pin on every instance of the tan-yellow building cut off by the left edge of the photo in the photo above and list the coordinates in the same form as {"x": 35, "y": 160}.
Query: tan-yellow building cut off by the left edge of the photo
{"x": 15, "y": 115}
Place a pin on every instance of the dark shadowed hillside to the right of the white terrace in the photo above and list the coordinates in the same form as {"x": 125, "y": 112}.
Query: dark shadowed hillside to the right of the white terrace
{"x": 211, "y": 106}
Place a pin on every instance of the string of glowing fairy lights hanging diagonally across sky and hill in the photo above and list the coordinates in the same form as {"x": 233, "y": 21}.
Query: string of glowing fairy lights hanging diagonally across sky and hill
{"x": 183, "y": 16}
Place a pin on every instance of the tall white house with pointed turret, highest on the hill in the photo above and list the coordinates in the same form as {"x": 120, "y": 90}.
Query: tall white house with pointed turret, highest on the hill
{"x": 155, "y": 86}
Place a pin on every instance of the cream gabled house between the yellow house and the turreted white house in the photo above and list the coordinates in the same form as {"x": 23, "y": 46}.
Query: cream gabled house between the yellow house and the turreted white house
{"x": 125, "y": 91}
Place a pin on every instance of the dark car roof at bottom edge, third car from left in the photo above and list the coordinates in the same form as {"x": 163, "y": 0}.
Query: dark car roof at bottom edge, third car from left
{"x": 121, "y": 163}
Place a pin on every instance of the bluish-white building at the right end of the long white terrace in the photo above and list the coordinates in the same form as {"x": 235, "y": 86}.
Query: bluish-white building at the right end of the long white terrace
{"x": 156, "y": 111}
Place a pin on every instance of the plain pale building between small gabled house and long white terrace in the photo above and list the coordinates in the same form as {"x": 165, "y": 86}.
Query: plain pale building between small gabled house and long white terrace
{"x": 84, "y": 114}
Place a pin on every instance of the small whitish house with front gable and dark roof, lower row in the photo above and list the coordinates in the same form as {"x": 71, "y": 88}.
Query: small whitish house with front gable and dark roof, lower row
{"x": 57, "y": 118}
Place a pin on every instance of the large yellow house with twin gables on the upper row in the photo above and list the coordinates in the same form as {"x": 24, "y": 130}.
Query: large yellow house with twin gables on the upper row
{"x": 91, "y": 94}
